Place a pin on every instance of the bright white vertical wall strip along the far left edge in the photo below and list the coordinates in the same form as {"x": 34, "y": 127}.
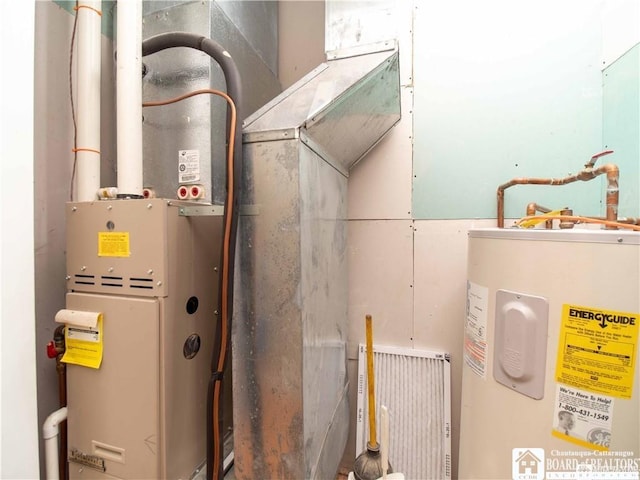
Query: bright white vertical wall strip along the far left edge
{"x": 18, "y": 426}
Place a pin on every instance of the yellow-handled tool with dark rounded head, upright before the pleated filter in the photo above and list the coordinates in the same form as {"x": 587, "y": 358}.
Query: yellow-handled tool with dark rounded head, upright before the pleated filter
{"x": 368, "y": 465}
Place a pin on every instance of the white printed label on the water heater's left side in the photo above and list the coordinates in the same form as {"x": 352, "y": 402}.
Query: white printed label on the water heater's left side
{"x": 475, "y": 329}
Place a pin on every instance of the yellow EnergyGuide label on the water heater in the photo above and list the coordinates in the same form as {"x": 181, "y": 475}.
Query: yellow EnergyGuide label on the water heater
{"x": 597, "y": 350}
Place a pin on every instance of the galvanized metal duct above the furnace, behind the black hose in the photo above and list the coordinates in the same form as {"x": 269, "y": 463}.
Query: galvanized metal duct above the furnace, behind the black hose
{"x": 182, "y": 142}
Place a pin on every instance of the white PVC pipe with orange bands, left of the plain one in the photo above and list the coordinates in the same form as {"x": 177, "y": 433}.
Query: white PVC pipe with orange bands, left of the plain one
{"x": 88, "y": 104}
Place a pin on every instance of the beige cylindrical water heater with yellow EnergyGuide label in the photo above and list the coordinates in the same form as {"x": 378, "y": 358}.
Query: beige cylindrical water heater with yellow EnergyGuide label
{"x": 550, "y": 375}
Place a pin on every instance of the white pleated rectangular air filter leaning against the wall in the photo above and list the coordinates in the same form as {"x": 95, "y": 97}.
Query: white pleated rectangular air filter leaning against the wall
{"x": 415, "y": 386}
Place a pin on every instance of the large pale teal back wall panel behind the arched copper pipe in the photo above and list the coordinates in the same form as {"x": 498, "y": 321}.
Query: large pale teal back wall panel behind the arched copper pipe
{"x": 505, "y": 89}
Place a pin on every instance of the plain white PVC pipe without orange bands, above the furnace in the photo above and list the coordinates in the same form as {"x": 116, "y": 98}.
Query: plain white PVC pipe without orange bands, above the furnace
{"x": 129, "y": 96}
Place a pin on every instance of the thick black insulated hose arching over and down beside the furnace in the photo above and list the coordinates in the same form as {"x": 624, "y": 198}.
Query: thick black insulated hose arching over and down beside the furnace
{"x": 232, "y": 79}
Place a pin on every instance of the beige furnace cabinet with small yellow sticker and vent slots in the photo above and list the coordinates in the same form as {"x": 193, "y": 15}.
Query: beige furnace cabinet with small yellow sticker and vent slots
{"x": 150, "y": 268}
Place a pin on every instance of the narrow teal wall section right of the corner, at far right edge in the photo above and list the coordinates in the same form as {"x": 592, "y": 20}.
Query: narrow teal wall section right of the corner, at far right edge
{"x": 621, "y": 125}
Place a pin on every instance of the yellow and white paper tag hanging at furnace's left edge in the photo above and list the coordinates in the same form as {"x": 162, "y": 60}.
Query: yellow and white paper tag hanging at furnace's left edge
{"x": 83, "y": 345}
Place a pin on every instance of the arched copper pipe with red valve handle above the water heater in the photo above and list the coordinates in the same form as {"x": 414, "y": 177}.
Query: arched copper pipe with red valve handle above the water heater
{"x": 585, "y": 175}
